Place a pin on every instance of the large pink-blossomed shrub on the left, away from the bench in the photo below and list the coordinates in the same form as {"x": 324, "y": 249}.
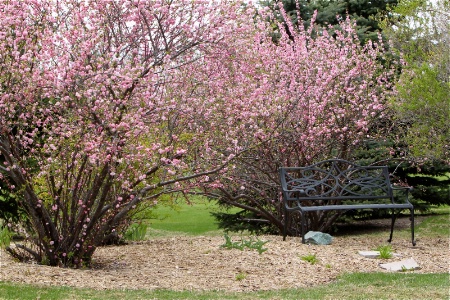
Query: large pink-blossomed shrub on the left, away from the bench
{"x": 94, "y": 115}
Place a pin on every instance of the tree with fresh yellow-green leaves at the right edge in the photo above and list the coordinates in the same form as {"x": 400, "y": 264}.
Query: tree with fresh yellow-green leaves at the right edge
{"x": 421, "y": 32}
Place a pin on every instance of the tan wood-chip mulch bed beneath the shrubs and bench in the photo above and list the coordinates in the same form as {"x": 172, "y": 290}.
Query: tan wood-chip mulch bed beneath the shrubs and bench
{"x": 200, "y": 263}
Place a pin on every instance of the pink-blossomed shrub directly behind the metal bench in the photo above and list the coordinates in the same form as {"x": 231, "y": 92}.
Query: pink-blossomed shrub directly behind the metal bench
{"x": 309, "y": 96}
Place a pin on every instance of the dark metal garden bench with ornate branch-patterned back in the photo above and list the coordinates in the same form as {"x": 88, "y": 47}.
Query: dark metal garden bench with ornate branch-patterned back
{"x": 338, "y": 184}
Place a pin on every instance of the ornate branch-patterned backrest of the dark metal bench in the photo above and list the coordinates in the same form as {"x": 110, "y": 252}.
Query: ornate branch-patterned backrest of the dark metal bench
{"x": 335, "y": 179}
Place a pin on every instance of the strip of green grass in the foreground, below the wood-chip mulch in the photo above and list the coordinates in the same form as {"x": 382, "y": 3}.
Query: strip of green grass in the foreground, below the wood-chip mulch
{"x": 349, "y": 286}
